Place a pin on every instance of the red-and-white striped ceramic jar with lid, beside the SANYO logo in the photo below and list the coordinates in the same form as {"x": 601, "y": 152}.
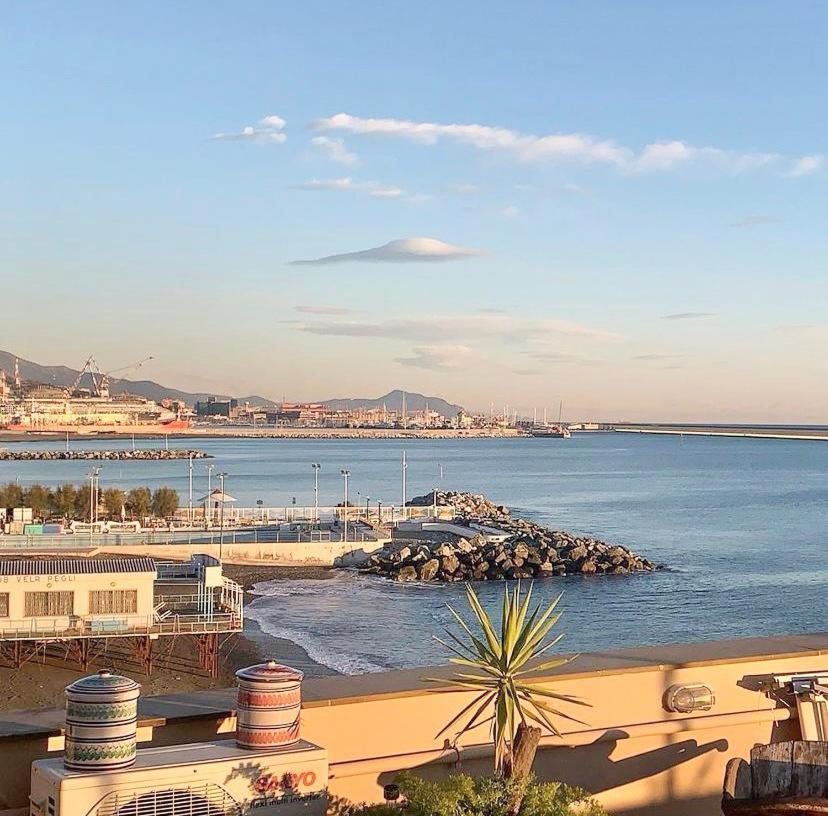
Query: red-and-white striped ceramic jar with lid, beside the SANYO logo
{"x": 269, "y": 701}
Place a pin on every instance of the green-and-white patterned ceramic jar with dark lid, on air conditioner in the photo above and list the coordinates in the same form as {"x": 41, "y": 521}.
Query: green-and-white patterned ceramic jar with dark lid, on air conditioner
{"x": 101, "y": 722}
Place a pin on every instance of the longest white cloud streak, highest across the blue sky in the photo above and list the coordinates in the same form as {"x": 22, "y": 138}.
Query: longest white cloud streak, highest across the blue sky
{"x": 578, "y": 147}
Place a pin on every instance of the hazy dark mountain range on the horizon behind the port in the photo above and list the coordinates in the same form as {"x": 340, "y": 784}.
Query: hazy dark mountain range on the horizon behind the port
{"x": 65, "y": 377}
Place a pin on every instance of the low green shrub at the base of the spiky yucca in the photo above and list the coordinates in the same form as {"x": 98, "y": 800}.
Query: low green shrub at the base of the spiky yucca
{"x": 463, "y": 795}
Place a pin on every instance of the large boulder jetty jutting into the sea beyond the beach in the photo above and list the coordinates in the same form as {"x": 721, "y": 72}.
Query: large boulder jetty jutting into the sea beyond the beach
{"x": 528, "y": 550}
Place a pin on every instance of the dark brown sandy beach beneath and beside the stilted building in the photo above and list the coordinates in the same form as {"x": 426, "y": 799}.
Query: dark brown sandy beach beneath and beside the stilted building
{"x": 39, "y": 683}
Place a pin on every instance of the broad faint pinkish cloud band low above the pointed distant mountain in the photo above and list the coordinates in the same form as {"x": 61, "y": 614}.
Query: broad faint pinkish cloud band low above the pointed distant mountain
{"x": 464, "y": 329}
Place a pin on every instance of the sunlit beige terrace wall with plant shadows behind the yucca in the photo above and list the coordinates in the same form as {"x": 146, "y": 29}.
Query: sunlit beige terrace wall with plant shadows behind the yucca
{"x": 634, "y": 755}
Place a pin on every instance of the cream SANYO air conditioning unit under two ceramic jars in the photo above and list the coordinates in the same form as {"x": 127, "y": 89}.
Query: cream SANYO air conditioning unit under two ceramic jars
{"x": 200, "y": 779}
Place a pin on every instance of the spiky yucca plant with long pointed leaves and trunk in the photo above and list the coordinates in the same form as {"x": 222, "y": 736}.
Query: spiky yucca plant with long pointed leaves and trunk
{"x": 518, "y": 711}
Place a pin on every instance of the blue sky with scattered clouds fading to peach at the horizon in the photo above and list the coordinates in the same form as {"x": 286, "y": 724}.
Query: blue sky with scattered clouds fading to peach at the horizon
{"x": 617, "y": 205}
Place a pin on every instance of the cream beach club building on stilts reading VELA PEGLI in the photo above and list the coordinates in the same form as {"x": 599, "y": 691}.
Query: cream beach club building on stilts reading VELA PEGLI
{"x": 79, "y": 602}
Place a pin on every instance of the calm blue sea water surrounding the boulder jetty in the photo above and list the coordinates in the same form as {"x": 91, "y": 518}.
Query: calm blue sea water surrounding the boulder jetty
{"x": 741, "y": 524}
